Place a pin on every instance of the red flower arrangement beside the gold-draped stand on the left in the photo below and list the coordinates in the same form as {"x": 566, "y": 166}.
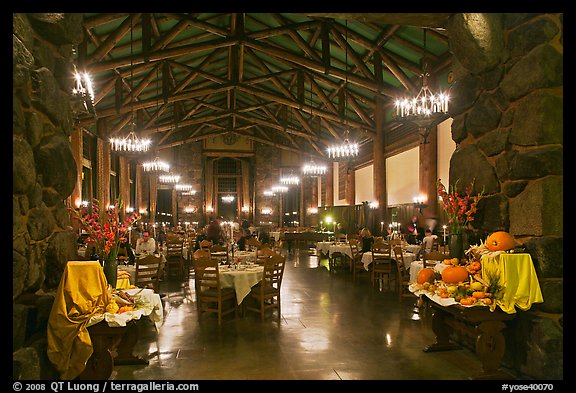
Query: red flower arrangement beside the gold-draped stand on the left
{"x": 106, "y": 229}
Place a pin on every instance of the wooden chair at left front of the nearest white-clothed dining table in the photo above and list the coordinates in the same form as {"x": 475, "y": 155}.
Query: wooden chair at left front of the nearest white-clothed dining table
{"x": 210, "y": 297}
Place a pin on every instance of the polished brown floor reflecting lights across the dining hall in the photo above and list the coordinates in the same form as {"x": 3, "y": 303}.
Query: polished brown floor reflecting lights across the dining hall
{"x": 331, "y": 329}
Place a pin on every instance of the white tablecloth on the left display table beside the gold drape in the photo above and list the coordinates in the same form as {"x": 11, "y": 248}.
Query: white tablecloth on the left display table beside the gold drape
{"x": 150, "y": 306}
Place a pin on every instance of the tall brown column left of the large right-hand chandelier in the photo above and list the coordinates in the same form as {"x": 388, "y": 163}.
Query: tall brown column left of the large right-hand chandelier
{"x": 380, "y": 192}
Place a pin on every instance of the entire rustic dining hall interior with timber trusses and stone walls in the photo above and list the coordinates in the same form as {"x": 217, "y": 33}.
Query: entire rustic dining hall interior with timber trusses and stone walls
{"x": 285, "y": 169}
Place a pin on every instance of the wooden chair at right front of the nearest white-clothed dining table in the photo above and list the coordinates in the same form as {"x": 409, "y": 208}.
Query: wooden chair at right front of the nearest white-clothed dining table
{"x": 266, "y": 294}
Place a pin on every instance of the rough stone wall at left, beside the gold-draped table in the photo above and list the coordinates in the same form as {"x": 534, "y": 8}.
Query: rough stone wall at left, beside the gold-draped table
{"x": 43, "y": 176}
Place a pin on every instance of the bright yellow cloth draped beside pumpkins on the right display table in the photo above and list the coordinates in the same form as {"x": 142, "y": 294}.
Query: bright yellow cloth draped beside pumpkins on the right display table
{"x": 518, "y": 275}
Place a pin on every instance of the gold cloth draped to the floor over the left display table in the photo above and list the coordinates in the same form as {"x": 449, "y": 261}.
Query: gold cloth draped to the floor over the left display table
{"x": 81, "y": 294}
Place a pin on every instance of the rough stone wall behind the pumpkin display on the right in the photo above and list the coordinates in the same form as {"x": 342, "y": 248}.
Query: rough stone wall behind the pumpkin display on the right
{"x": 507, "y": 105}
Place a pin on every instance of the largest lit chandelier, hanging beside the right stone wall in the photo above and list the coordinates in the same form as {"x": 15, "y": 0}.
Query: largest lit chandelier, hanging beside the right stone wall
{"x": 426, "y": 108}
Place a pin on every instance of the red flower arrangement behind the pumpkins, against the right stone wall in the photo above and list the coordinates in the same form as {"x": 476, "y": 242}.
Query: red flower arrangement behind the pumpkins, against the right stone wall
{"x": 460, "y": 208}
